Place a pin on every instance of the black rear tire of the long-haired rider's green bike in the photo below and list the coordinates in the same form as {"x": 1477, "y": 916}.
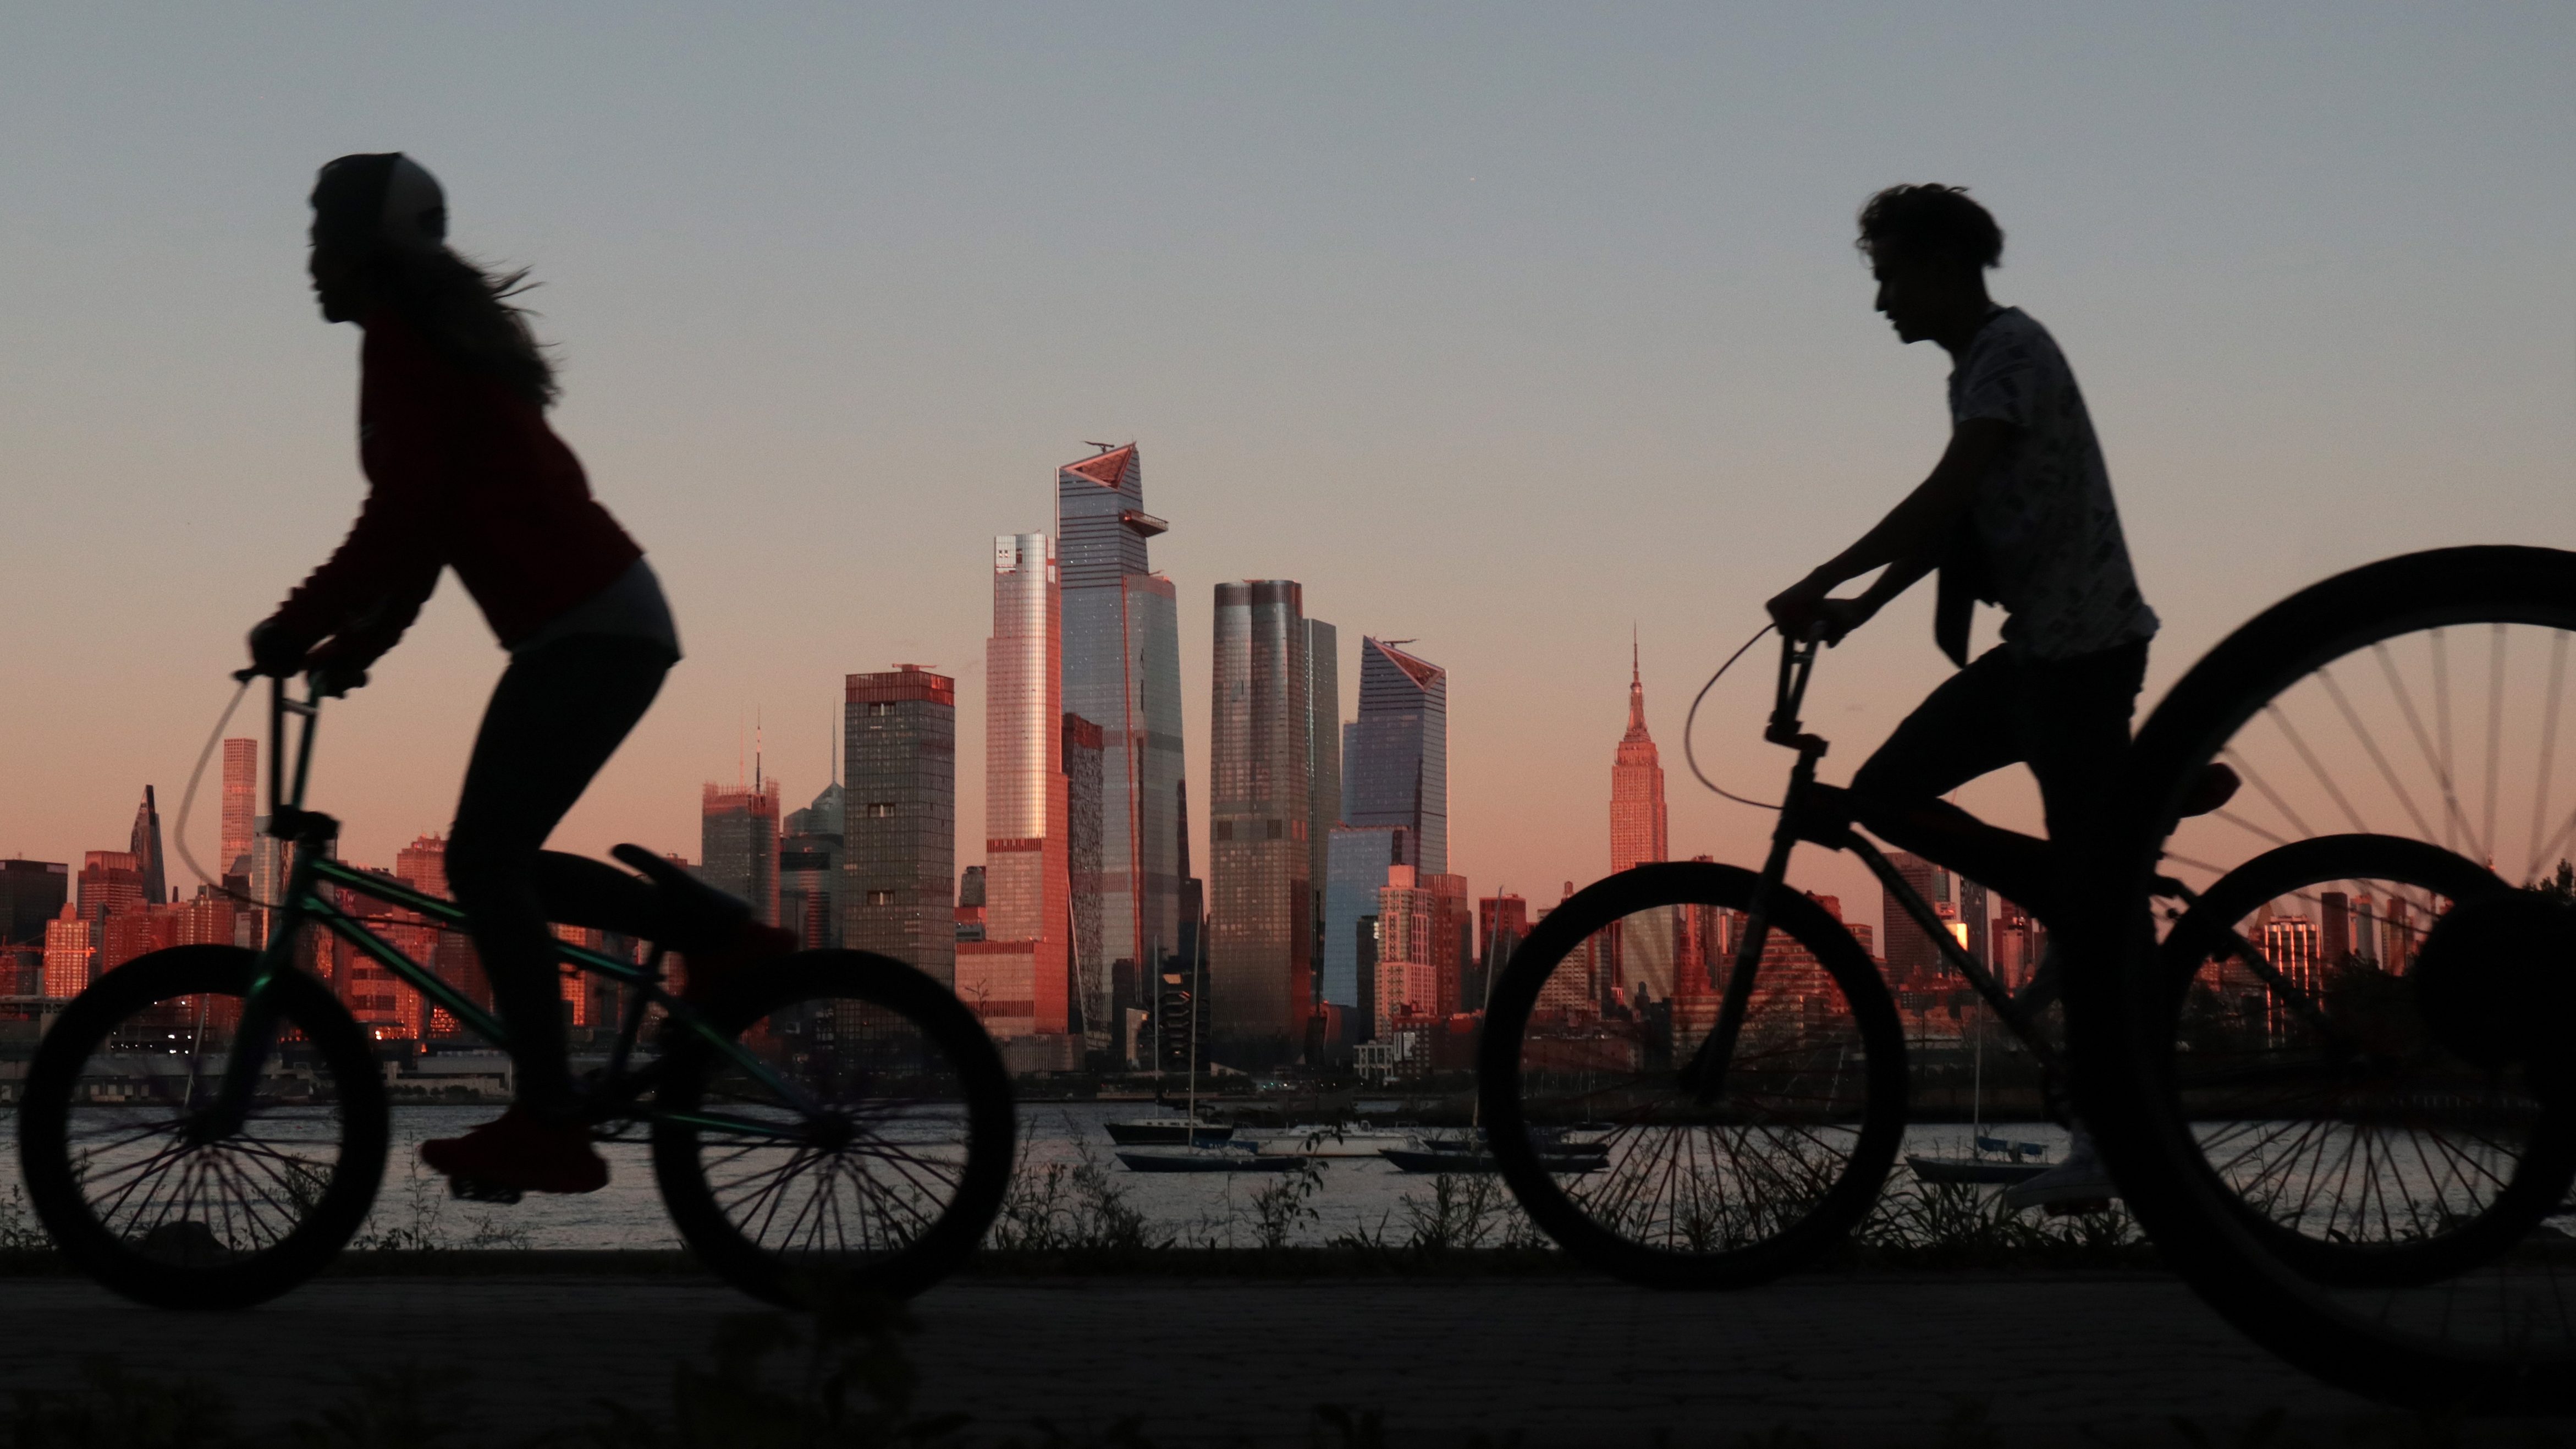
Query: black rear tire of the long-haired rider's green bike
{"x": 954, "y": 1056}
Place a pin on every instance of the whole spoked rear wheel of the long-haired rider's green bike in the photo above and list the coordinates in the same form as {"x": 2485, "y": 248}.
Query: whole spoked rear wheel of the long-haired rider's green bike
{"x": 854, "y": 1133}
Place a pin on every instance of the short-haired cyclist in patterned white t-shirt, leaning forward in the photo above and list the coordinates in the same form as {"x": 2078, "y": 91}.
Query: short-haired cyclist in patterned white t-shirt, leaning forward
{"x": 2021, "y": 514}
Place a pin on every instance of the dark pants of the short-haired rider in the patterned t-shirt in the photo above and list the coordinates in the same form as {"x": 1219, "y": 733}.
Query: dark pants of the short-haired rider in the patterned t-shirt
{"x": 2065, "y": 718}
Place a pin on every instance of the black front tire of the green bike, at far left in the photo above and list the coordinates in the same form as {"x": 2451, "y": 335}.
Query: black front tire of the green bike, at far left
{"x": 174, "y": 1265}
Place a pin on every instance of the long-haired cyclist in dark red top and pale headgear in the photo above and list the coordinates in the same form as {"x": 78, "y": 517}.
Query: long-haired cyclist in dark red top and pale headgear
{"x": 465, "y": 473}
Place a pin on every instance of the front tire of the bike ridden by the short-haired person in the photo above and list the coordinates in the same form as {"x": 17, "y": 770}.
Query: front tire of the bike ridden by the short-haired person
{"x": 1784, "y": 1247}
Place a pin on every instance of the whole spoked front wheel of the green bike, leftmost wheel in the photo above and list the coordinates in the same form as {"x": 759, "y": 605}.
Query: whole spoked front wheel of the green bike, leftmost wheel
{"x": 135, "y": 1180}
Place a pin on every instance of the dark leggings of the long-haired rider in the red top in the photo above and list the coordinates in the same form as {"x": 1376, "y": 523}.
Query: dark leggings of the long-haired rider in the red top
{"x": 555, "y": 721}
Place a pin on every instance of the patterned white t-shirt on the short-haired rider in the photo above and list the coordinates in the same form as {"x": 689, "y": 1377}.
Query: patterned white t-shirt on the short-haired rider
{"x": 2047, "y": 520}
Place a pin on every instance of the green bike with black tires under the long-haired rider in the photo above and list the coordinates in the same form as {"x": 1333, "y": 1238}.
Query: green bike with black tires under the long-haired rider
{"x": 207, "y": 1125}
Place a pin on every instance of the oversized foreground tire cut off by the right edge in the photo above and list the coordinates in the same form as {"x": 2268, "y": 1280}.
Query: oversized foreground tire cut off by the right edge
{"x": 2124, "y": 1056}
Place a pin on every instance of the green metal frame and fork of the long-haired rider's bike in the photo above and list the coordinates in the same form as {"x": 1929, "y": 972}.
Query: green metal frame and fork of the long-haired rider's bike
{"x": 305, "y": 904}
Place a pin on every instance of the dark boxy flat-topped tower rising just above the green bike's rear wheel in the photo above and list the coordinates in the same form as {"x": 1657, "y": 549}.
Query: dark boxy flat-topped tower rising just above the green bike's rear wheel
{"x": 900, "y": 819}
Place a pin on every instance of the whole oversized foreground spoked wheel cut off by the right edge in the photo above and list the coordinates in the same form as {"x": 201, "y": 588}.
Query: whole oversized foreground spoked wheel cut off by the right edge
{"x": 2307, "y": 1138}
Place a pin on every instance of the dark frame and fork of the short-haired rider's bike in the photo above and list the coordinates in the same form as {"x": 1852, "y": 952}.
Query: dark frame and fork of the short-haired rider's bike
{"x": 1820, "y": 813}
